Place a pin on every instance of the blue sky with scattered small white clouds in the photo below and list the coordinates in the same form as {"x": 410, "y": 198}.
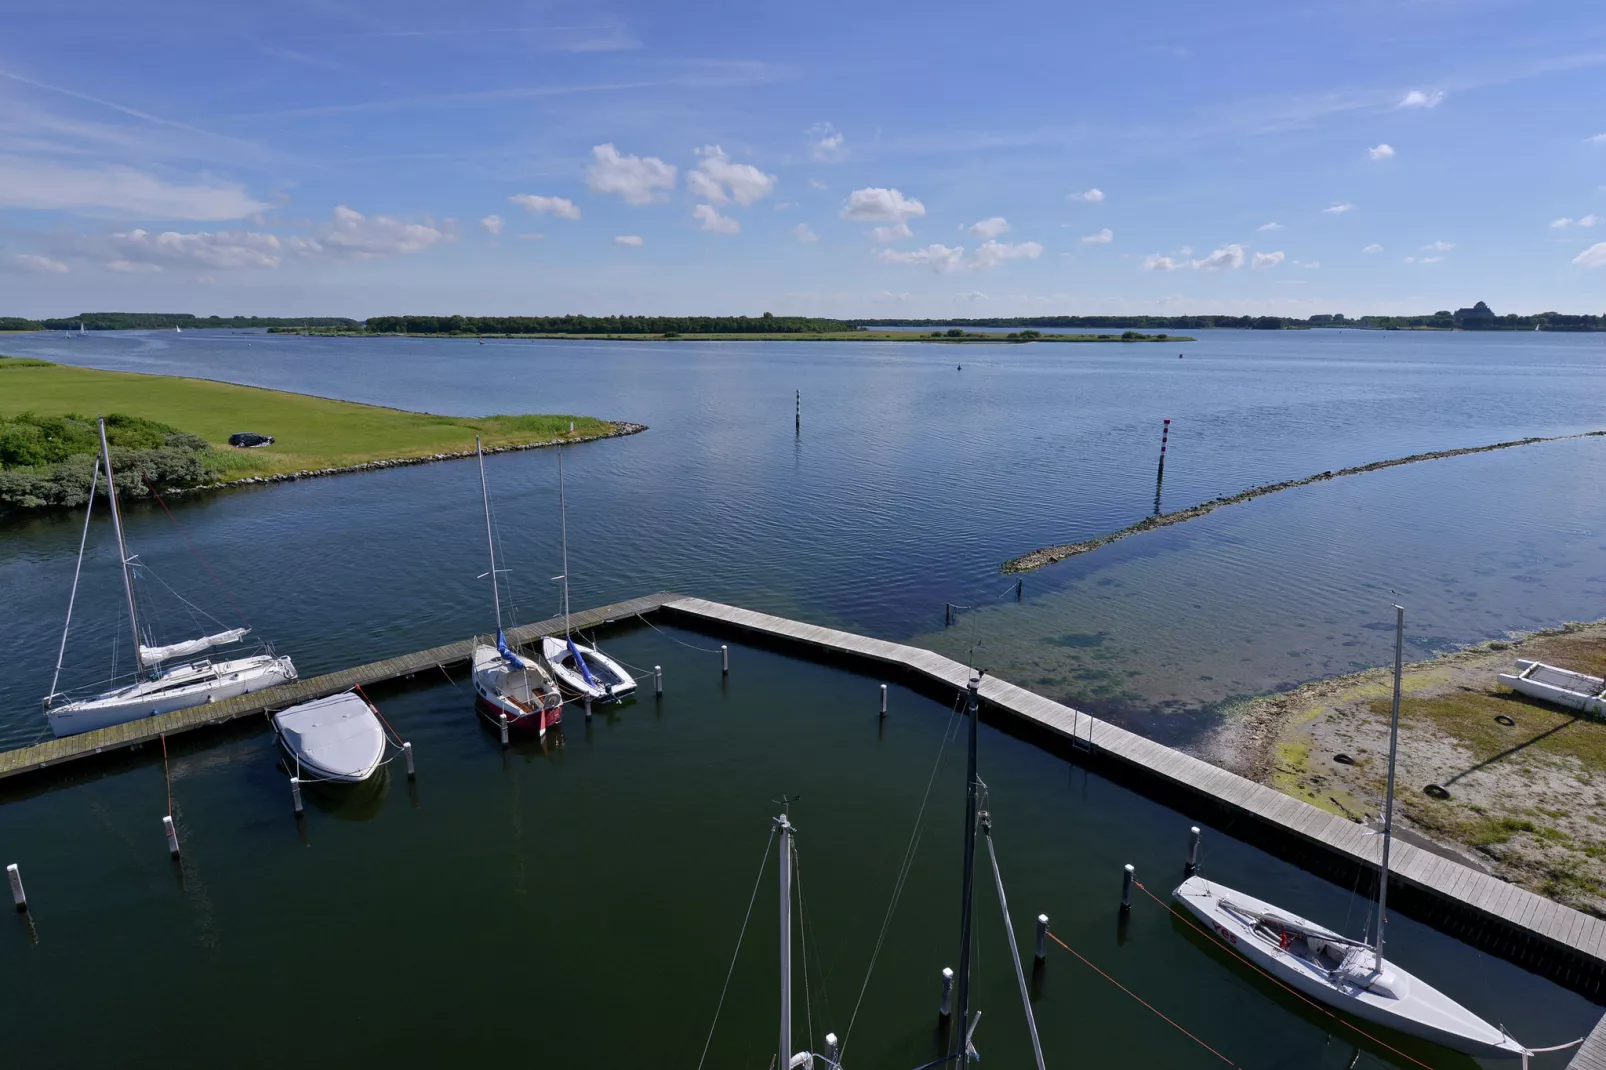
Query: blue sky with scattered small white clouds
{"x": 879, "y": 160}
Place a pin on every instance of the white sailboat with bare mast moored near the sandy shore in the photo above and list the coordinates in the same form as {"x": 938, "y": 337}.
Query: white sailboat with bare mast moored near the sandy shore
{"x": 1347, "y": 974}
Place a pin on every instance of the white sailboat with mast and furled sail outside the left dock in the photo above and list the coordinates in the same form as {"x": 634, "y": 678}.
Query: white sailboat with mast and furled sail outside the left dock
{"x": 155, "y": 690}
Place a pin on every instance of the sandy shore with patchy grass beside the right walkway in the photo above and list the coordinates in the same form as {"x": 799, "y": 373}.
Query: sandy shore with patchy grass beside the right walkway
{"x": 1527, "y": 799}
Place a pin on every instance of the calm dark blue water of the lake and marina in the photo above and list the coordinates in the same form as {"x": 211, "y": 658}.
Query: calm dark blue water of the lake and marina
{"x": 600, "y": 886}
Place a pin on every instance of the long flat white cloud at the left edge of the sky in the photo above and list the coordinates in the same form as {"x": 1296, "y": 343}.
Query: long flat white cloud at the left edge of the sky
{"x": 124, "y": 192}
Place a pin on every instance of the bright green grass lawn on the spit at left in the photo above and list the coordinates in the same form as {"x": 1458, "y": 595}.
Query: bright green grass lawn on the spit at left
{"x": 309, "y": 431}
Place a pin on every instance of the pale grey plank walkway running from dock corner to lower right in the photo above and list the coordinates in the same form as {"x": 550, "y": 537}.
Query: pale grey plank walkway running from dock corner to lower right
{"x": 1549, "y": 923}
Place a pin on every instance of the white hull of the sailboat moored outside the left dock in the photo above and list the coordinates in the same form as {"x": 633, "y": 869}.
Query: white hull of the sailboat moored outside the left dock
{"x": 179, "y": 688}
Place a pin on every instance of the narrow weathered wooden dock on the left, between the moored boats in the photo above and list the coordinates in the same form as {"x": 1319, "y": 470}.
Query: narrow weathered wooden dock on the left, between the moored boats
{"x": 436, "y": 661}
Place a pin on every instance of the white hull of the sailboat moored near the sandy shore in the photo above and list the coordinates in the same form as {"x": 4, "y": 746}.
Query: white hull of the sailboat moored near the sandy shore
{"x": 1398, "y": 1000}
